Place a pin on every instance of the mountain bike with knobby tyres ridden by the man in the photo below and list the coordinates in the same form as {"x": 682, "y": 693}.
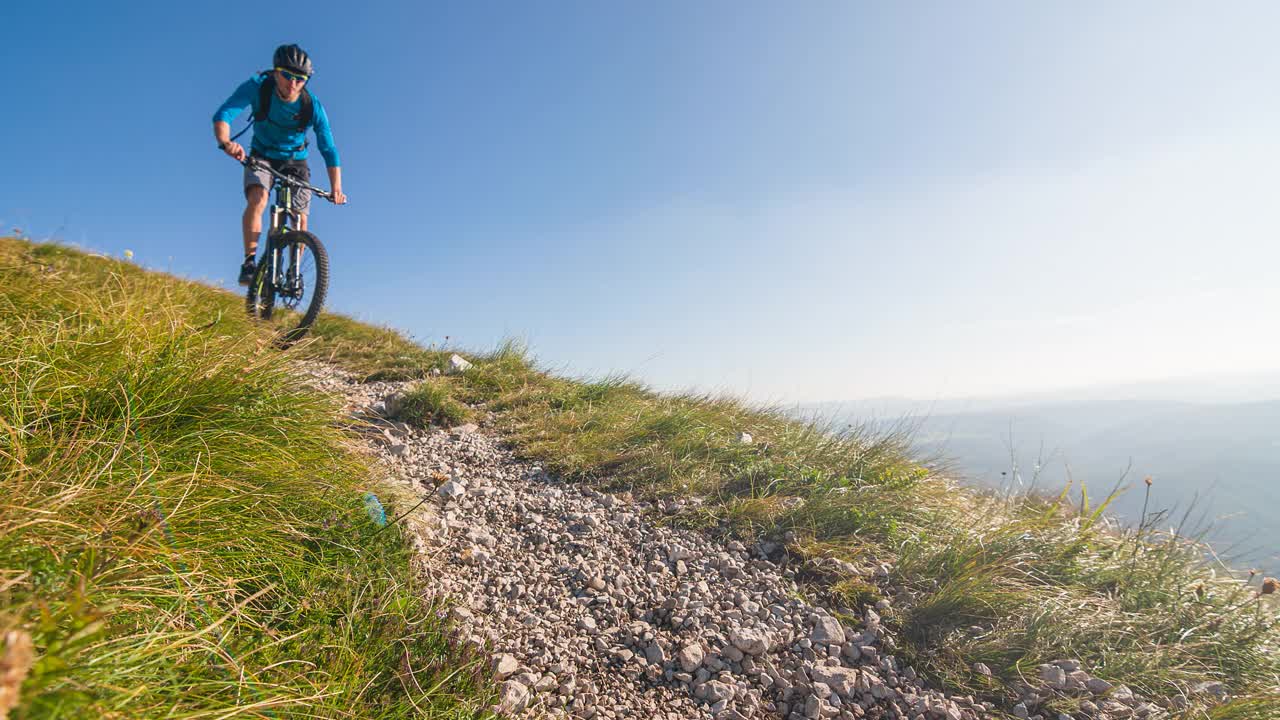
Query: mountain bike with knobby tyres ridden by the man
{"x": 295, "y": 267}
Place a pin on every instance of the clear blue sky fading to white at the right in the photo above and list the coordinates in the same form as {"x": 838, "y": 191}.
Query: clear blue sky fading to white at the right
{"x": 788, "y": 202}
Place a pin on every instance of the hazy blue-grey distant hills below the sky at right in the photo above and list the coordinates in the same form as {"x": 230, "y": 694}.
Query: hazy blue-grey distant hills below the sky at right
{"x": 1219, "y": 461}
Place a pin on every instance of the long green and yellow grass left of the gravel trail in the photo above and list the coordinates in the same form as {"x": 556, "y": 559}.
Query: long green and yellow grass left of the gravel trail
{"x": 182, "y": 532}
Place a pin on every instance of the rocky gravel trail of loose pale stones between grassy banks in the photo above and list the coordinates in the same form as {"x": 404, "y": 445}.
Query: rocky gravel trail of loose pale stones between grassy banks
{"x": 591, "y": 608}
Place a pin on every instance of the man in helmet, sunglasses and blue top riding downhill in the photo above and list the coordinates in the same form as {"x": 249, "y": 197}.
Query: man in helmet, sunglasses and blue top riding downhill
{"x": 284, "y": 111}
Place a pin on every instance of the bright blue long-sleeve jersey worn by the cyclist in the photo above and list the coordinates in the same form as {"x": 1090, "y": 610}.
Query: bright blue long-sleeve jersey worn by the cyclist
{"x": 278, "y": 136}
